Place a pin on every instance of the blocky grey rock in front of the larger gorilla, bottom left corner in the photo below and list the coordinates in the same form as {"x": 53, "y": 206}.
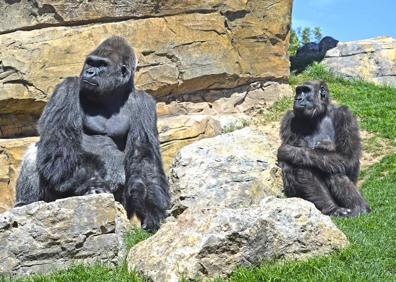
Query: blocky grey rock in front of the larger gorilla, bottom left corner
{"x": 43, "y": 237}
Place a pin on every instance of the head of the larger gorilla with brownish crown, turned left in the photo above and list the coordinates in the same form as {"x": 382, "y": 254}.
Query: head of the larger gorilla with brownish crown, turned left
{"x": 108, "y": 69}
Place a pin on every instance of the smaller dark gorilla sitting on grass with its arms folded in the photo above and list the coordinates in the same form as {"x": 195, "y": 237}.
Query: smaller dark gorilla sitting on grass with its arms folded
{"x": 320, "y": 153}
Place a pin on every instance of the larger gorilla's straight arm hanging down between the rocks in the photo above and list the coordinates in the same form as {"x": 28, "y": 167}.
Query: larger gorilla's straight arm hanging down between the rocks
{"x": 147, "y": 188}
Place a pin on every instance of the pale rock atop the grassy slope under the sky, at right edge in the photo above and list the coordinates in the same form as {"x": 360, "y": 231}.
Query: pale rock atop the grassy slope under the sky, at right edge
{"x": 373, "y": 60}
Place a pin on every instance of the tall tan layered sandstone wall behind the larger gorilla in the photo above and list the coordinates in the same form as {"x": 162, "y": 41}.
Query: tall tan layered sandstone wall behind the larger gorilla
{"x": 211, "y": 64}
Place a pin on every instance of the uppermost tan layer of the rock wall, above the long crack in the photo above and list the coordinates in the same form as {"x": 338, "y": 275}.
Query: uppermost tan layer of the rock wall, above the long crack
{"x": 27, "y": 14}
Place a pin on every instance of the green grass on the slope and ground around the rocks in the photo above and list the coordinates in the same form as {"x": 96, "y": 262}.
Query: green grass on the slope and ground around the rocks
{"x": 371, "y": 255}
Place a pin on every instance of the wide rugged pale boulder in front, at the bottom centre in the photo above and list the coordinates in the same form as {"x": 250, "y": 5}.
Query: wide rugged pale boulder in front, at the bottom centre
{"x": 212, "y": 242}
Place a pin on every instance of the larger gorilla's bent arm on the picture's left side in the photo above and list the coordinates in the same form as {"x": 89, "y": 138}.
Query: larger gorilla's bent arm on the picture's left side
{"x": 60, "y": 159}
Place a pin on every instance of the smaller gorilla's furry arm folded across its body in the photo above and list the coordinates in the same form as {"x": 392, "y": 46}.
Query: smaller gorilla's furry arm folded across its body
{"x": 341, "y": 161}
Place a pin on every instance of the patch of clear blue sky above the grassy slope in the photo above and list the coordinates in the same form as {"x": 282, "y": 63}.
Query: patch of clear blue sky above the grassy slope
{"x": 347, "y": 20}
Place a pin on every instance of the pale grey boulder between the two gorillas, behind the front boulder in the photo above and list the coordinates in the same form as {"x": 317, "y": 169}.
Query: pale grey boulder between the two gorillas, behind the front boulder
{"x": 234, "y": 170}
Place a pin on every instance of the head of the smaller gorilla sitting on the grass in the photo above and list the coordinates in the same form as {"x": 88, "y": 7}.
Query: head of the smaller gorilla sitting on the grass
{"x": 311, "y": 99}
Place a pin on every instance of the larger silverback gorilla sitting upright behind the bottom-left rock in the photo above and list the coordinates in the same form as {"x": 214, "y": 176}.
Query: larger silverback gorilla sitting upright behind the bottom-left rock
{"x": 98, "y": 135}
